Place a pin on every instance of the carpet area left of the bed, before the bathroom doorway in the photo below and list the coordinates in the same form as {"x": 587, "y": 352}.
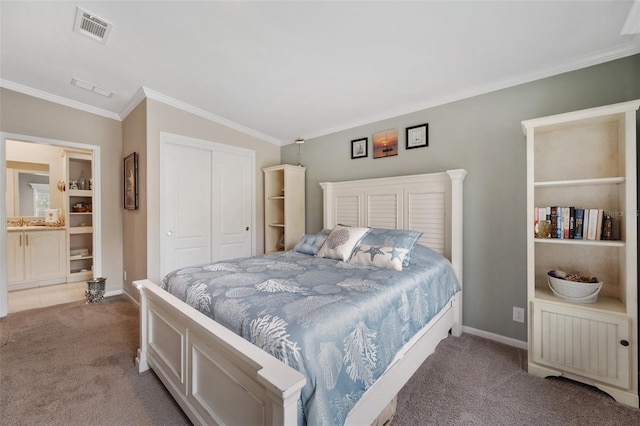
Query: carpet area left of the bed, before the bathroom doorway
{"x": 73, "y": 364}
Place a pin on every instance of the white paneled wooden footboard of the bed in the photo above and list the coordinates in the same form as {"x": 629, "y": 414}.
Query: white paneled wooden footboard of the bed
{"x": 216, "y": 376}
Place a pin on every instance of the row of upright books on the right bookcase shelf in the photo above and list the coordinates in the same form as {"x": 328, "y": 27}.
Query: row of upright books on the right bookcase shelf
{"x": 573, "y": 223}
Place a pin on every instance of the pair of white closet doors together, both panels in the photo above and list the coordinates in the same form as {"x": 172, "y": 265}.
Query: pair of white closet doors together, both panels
{"x": 207, "y": 202}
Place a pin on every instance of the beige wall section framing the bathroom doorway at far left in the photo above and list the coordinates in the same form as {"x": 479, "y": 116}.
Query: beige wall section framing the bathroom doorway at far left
{"x": 26, "y": 115}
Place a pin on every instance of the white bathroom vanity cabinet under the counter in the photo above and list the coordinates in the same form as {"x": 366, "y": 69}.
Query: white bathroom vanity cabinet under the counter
{"x": 36, "y": 258}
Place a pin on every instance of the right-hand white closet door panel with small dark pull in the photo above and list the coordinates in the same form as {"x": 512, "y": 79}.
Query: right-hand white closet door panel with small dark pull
{"x": 231, "y": 206}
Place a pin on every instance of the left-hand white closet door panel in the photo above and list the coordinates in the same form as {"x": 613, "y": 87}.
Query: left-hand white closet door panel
{"x": 185, "y": 206}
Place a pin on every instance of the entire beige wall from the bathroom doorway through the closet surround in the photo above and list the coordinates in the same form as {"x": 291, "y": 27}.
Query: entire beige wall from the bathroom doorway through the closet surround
{"x": 130, "y": 238}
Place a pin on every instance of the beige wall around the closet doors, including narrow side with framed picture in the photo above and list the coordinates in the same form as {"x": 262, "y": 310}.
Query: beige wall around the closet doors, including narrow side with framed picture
{"x": 156, "y": 118}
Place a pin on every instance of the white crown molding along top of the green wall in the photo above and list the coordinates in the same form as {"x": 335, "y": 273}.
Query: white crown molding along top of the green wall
{"x": 605, "y": 56}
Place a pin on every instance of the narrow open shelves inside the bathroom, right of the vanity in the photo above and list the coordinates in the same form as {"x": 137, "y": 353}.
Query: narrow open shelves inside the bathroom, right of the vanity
{"x": 79, "y": 218}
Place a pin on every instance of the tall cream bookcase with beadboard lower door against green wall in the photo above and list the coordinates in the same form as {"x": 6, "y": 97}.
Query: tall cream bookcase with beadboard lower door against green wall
{"x": 585, "y": 159}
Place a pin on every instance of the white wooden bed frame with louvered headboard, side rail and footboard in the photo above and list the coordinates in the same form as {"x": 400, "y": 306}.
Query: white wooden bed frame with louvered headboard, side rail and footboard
{"x": 217, "y": 377}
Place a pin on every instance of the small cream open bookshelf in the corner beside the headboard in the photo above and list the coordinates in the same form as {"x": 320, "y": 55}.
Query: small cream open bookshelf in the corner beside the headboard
{"x": 284, "y": 207}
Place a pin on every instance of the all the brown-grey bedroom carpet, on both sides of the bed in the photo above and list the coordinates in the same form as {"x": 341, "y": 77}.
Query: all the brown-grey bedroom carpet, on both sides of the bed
{"x": 73, "y": 364}
